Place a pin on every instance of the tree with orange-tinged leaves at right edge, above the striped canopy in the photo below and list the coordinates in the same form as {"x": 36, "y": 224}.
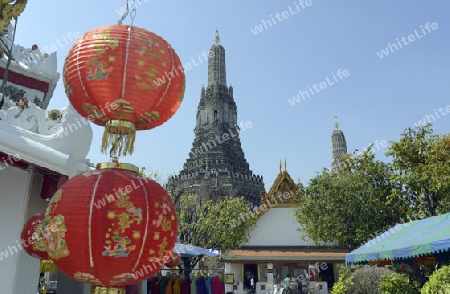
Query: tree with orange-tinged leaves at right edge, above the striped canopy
{"x": 421, "y": 172}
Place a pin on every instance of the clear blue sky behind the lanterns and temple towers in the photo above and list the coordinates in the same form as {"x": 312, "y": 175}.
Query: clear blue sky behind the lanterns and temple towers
{"x": 377, "y": 101}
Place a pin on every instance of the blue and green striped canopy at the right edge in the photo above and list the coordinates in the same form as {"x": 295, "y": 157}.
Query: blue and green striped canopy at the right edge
{"x": 413, "y": 239}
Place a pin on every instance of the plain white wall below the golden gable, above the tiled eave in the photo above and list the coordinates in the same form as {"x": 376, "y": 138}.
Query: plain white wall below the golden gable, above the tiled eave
{"x": 277, "y": 227}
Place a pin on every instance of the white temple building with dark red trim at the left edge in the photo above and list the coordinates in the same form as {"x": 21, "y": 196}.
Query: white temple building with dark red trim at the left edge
{"x": 39, "y": 150}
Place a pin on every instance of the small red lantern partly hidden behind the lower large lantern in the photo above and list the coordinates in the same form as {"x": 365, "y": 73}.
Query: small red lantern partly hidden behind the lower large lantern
{"x": 32, "y": 236}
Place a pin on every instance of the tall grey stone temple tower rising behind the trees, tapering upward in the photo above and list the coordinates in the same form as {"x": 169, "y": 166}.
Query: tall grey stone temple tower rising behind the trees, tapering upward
{"x": 216, "y": 166}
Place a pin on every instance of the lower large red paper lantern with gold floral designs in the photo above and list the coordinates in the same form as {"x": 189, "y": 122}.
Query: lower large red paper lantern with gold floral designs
{"x": 113, "y": 227}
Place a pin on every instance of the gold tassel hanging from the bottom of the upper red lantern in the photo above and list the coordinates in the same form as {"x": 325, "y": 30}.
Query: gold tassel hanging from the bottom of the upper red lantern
{"x": 120, "y": 135}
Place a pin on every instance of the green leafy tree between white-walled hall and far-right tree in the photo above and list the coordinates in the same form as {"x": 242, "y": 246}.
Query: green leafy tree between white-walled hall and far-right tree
{"x": 345, "y": 207}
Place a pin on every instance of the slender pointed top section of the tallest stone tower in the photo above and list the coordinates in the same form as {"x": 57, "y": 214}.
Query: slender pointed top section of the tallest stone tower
{"x": 216, "y": 64}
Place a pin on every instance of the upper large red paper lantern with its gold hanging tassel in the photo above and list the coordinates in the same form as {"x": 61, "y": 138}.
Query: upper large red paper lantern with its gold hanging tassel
{"x": 124, "y": 78}
